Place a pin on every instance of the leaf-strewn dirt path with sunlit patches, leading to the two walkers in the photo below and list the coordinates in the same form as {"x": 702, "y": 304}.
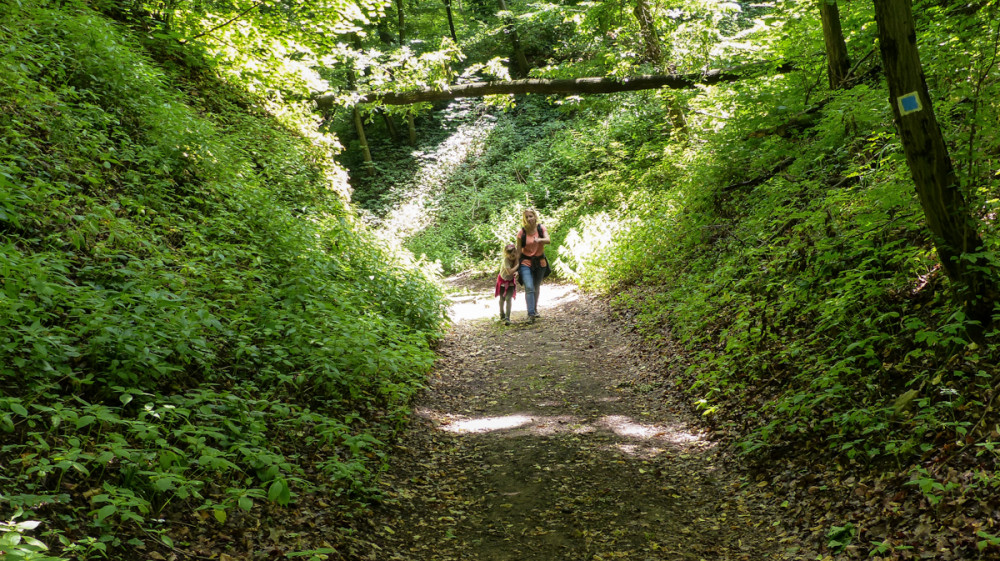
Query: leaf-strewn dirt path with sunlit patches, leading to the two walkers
{"x": 553, "y": 441}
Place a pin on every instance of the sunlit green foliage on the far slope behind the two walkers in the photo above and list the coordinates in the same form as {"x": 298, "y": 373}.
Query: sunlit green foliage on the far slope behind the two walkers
{"x": 561, "y": 160}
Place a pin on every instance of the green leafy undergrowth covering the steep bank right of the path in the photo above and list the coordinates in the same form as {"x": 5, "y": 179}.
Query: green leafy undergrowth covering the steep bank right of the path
{"x": 821, "y": 330}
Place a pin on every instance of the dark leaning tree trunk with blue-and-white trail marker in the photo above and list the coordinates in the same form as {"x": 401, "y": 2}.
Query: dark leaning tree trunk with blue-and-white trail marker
{"x": 949, "y": 217}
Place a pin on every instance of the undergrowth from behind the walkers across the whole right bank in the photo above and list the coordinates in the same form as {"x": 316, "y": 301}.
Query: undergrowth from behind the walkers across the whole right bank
{"x": 775, "y": 234}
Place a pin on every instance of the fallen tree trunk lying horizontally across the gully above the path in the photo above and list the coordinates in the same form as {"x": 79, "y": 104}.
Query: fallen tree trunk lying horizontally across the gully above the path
{"x": 567, "y": 86}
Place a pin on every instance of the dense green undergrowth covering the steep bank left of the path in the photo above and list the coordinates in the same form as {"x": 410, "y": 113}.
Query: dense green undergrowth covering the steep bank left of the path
{"x": 192, "y": 321}
